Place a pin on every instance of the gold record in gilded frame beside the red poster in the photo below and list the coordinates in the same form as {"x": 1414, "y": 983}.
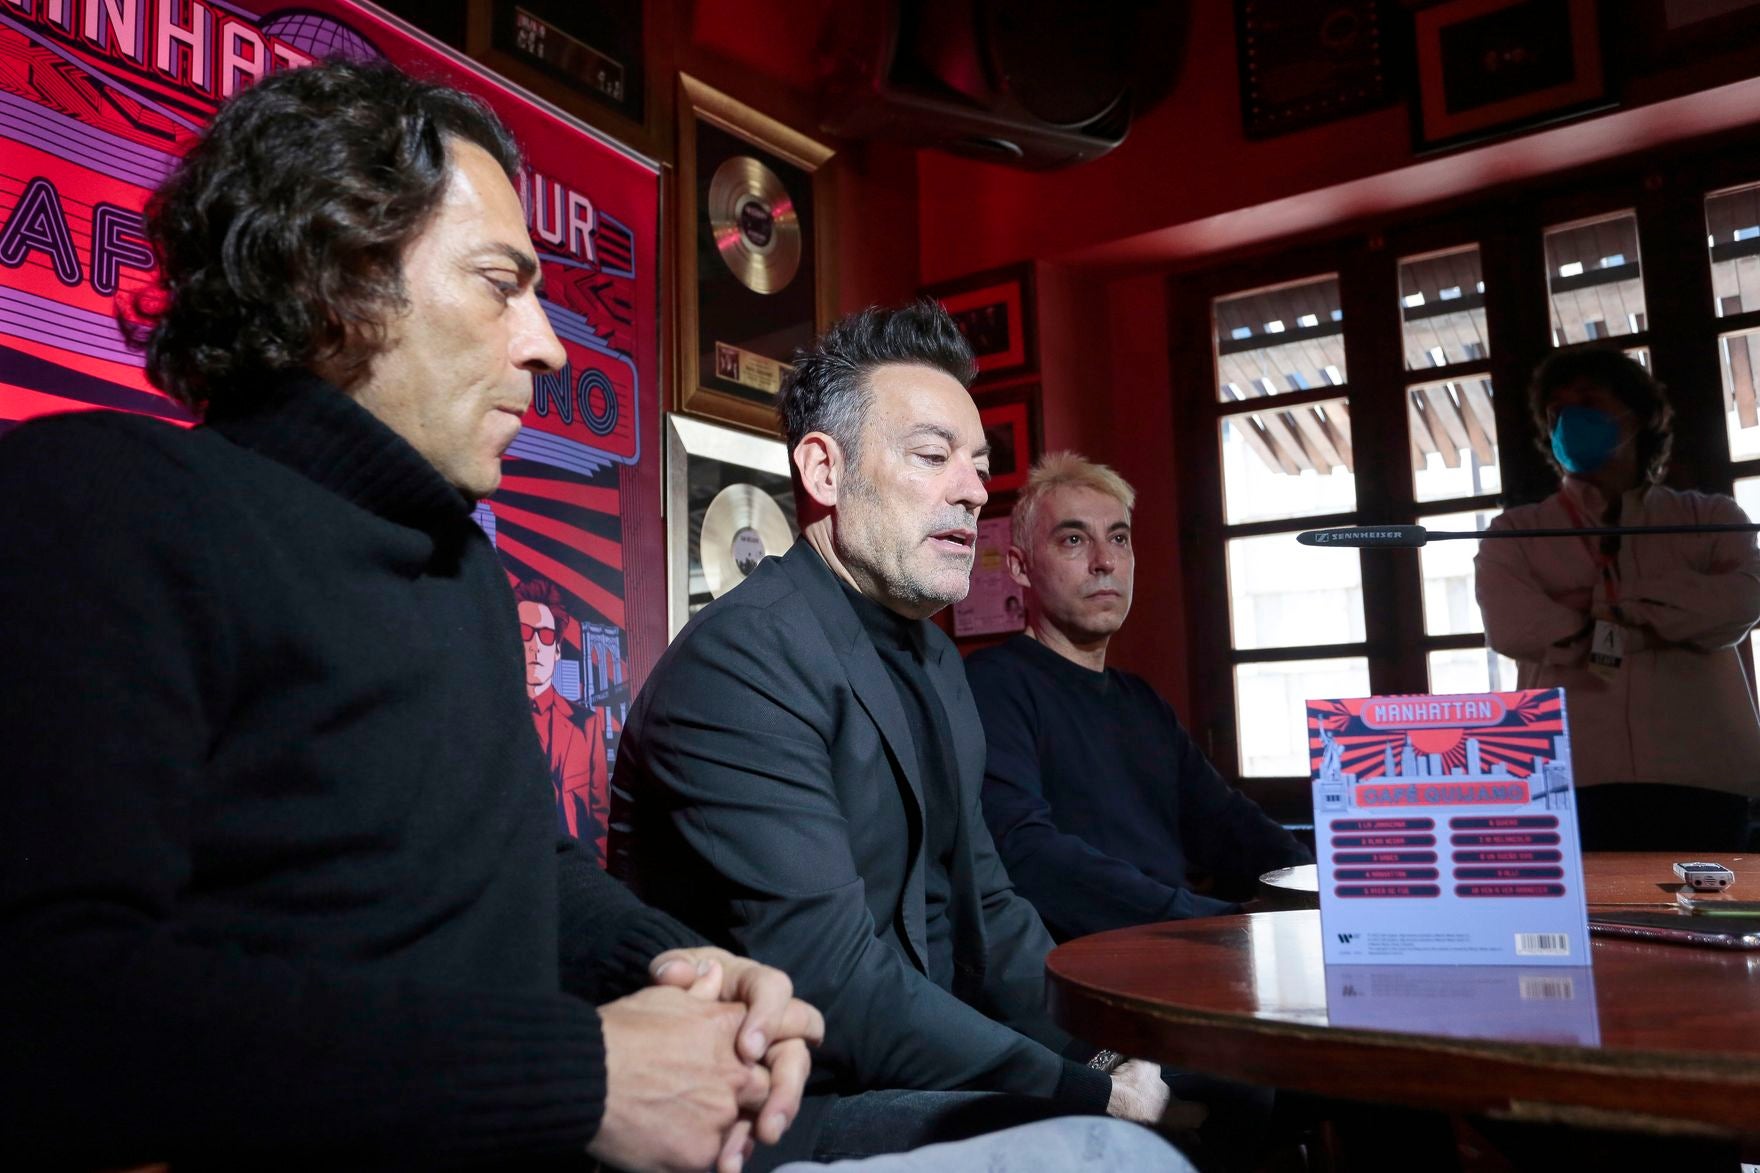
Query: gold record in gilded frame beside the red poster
{"x": 754, "y": 249}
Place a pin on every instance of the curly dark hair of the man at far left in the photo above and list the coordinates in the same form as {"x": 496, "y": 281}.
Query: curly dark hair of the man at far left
{"x": 281, "y": 235}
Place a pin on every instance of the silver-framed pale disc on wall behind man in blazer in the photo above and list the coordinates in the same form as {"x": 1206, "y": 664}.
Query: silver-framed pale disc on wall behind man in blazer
{"x": 730, "y": 503}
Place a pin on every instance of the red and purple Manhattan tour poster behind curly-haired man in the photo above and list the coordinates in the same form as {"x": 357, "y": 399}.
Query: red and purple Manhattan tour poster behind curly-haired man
{"x": 99, "y": 100}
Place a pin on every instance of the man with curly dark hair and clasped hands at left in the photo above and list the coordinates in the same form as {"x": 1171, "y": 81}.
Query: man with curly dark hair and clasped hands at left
{"x": 279, "y": 860}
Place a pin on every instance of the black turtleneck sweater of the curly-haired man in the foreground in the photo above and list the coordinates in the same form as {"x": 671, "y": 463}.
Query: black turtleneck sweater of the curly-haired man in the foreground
{"x": 279, "y": 869}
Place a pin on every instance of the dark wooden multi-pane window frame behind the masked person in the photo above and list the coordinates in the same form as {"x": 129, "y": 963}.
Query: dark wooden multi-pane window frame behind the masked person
{"x": 1664, "y": 191}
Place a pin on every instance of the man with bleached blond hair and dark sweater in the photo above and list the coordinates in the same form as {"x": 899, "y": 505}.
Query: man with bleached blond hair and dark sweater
{"x": 1097, "y": 797}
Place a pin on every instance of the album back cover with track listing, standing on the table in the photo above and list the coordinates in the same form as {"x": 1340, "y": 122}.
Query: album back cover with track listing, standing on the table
{"x": 1446, "y": 830}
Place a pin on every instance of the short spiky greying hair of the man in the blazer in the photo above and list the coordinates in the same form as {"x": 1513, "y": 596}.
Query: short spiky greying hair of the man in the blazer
{"x": 828, "y": 388}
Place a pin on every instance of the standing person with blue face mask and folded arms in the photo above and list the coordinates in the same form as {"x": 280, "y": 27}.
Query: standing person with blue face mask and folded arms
{"x": 1641, "y": 631}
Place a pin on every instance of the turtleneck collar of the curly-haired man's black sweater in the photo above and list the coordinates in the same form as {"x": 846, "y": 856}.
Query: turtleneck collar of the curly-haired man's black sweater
{"x": 319, "y": 432}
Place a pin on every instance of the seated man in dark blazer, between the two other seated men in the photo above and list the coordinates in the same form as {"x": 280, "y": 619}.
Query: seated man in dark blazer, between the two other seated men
{"x": 798, "y": 778}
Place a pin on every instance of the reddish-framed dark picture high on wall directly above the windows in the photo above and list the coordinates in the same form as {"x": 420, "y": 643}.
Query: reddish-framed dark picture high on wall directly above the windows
{"x": 1490, "y": 68}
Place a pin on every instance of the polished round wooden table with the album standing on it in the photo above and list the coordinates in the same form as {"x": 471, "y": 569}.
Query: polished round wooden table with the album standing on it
{"x": 1673, "y": 1040}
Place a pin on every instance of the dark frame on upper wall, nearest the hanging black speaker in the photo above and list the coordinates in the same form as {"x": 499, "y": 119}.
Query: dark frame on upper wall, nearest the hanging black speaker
{"x": 1305, "y": 64}
